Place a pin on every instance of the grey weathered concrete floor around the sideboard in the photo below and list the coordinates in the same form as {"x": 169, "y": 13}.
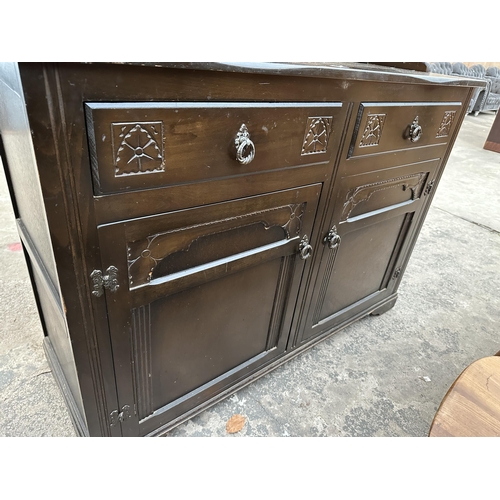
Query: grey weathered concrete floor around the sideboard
{"x": 383, "y": 376}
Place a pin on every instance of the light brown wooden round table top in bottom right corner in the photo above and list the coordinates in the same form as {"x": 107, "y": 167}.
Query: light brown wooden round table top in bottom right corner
{"x": 472, "y": 405}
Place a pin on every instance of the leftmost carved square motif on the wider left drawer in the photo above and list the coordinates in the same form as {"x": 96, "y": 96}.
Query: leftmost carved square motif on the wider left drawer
{"x": 137, "y": 147}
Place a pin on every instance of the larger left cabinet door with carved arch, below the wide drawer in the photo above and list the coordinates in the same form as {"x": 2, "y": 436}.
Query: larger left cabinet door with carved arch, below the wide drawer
{"x": 207, "y": 300}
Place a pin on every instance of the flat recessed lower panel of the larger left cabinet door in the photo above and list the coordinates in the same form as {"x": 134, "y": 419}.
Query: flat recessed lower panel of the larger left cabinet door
{"x": 200, "y": 344}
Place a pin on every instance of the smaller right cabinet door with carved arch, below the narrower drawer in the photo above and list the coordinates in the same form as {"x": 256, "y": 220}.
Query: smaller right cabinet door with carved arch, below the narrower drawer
{"x": 366, "y": 244}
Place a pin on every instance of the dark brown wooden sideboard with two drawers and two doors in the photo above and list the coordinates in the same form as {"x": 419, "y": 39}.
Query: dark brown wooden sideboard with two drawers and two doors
{"x": 190, "y": 227}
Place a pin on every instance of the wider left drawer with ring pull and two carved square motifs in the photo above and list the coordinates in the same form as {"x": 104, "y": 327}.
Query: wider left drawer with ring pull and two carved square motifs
{"x": 137, "y": 146}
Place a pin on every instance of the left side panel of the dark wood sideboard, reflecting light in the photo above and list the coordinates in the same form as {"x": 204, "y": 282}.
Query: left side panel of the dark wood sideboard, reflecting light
{"x": 21, "y": 170}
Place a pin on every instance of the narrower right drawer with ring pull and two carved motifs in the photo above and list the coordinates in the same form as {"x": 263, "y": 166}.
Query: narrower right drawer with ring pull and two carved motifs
{"x": 385, "y": 127}
